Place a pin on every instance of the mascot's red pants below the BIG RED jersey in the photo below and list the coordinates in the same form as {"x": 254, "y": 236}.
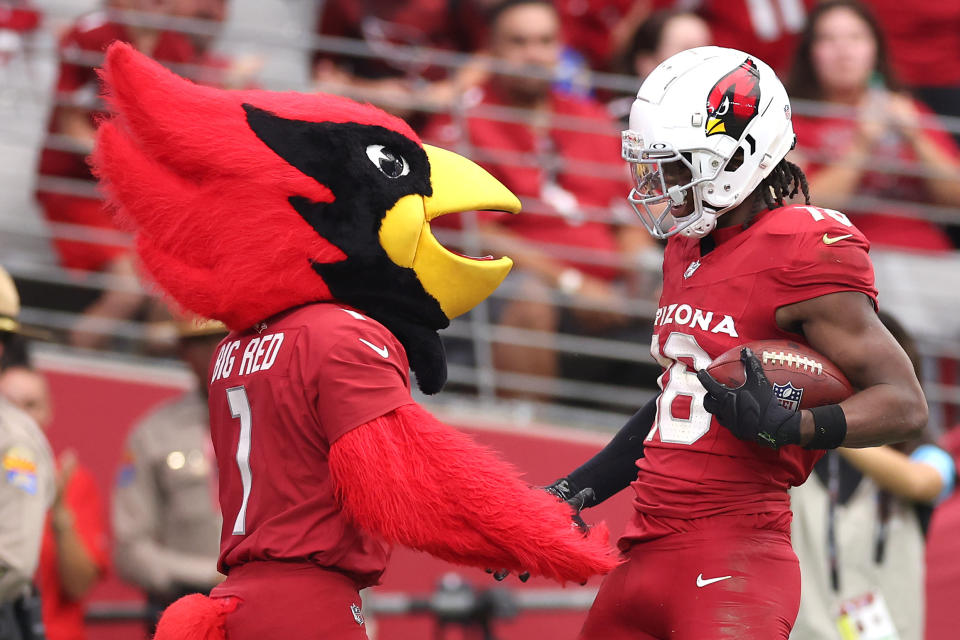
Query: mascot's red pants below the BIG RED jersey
{"x": 294, "y": 601}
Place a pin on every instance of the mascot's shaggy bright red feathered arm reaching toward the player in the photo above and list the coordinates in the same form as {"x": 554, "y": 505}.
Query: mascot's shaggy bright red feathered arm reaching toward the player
{"x": 415, "y": 481}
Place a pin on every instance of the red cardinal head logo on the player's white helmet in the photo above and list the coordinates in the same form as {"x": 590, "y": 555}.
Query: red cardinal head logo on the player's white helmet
{"x": 732, "y": 102}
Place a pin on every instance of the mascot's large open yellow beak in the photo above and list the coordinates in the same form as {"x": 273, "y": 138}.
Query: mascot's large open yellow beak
{"x": 457, "y": 282}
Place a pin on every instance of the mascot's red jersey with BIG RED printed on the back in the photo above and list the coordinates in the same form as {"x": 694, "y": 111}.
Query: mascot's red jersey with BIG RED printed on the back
{"x": 281, "y": 393}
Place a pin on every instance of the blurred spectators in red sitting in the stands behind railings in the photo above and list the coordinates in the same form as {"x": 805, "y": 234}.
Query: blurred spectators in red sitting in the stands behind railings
{"x": 537, "y": 92}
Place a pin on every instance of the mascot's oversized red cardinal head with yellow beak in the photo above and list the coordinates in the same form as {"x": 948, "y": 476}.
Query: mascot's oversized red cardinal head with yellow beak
{"x": 248, "y": 203}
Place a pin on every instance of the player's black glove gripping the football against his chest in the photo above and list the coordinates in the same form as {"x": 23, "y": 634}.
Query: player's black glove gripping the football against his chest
{"x": 751, "y": 411}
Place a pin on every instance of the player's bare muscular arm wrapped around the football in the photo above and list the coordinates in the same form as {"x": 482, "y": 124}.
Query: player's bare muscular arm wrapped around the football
{"x": 843, "y": 326}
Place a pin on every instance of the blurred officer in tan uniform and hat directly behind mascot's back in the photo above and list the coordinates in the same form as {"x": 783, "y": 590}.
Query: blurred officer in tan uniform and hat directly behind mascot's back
{"x": 165, "y": 513}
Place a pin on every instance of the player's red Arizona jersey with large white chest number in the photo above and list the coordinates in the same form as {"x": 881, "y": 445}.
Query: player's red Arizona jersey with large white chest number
{"x": 693, "y": 467}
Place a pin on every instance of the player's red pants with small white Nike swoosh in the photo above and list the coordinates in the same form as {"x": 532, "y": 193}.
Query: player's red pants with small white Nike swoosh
{"x": 668, "y": 589}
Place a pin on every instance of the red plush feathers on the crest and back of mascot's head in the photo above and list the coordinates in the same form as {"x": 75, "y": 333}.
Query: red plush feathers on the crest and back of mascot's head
{"x": 207, "y": 198}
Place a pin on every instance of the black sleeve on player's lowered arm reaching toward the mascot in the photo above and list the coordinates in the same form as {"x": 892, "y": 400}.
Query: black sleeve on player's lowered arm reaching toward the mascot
{"x": 614, "y": 467}
